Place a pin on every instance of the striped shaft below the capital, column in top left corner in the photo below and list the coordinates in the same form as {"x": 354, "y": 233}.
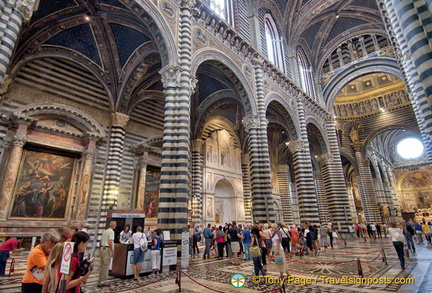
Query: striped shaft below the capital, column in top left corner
{"x": 10, "y": 27}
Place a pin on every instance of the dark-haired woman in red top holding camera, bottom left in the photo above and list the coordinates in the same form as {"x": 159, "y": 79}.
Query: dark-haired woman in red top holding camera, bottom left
{"x": 74, "y": 279}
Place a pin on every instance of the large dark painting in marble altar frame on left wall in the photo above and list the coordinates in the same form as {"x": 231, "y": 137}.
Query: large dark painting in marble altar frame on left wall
{"x": 42, "y": 186}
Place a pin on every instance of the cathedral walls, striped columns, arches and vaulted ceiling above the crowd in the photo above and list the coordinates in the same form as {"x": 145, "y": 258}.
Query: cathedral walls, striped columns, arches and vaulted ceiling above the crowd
{"x": 210, "y": 111}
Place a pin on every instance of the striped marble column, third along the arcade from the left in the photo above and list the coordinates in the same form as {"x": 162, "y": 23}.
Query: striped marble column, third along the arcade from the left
{"x": 307, "y": 198}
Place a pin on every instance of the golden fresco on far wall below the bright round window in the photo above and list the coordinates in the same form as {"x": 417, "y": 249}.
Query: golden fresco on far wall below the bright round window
{"x": 415, "y": 191}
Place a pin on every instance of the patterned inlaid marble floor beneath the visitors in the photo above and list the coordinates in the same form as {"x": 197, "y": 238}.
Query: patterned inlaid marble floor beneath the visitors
{"x": 333, "y": 270}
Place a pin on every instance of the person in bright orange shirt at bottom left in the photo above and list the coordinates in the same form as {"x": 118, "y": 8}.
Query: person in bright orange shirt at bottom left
{"x": 33, "y": 279}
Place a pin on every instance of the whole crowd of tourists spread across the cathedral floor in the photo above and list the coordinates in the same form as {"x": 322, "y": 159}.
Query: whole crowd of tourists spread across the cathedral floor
{"x": 262, "y": 243}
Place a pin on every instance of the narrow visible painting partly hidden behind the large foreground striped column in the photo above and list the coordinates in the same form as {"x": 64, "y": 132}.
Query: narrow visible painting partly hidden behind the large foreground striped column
{"x": 151, "y": 198}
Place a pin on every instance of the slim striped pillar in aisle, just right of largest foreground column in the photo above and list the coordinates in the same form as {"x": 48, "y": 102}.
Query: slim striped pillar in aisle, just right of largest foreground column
{"x": 197, "y": 182}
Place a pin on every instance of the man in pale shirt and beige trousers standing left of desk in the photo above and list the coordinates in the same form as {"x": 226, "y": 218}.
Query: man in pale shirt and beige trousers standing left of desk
{"x": 106, "y": 253}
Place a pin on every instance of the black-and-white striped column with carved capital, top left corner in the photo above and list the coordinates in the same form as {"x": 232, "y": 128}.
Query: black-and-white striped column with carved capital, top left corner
{"x": 13, "y": 14}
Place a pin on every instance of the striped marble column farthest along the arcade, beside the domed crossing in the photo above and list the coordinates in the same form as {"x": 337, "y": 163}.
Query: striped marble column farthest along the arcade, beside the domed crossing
{"x": 332, "y": 172}
